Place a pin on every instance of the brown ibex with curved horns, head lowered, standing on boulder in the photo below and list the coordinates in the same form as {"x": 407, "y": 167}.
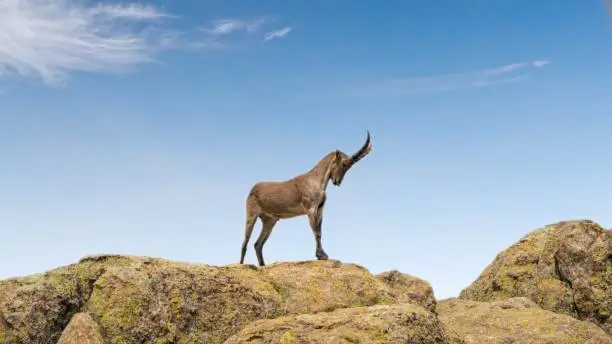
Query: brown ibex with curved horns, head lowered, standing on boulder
{"x": 301, "y": 195}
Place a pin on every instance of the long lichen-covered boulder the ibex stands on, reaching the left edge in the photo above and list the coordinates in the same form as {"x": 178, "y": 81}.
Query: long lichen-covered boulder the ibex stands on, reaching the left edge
{"x": 150, "y": 300}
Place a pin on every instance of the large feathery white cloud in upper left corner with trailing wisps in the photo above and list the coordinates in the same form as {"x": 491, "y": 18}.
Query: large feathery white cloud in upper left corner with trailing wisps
{"x": 50, "y": 39}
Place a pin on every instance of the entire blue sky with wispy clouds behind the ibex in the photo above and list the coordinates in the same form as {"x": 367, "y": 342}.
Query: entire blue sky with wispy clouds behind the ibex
{"x": 140, "y": 128}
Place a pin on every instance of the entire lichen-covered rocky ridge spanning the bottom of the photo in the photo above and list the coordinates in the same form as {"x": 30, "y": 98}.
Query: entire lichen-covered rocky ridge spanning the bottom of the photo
{"x": 549, "y": 287}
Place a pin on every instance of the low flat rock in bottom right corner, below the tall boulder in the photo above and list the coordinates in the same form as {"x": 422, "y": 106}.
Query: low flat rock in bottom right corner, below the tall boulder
{"x": 516, "y": 320}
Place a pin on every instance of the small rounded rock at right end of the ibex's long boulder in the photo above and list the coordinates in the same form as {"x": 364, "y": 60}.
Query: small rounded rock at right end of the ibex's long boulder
{"x": 409, "y": 289}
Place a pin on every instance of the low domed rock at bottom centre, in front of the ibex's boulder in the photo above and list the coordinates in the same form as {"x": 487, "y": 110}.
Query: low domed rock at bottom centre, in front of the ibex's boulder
{"x": 403, "y": 323}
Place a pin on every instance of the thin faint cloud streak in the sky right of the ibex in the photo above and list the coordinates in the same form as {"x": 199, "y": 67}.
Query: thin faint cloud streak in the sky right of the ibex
{"x": 511, "y": 73}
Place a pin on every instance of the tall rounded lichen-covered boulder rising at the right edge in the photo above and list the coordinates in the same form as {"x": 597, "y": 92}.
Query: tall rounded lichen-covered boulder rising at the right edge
{"x": 564, "y": 267}
